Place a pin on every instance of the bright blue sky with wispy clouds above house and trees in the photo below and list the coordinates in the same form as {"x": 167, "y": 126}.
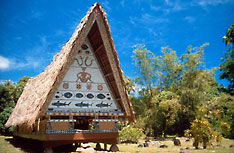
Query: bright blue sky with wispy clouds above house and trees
{"x": 32, "y": 32}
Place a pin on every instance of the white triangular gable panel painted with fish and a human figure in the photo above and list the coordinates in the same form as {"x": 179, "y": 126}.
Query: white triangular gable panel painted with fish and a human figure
{"x": 83, "y": 88}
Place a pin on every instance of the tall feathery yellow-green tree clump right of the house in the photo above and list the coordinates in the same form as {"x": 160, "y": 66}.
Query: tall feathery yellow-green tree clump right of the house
{"x": 175, "y": 91}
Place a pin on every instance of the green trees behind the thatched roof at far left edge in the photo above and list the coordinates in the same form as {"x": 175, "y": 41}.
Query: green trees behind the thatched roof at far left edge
{"x": 9, "y": 94}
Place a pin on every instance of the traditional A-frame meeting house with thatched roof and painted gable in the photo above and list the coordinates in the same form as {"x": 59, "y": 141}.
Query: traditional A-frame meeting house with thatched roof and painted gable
{"x": 81, "y": 95}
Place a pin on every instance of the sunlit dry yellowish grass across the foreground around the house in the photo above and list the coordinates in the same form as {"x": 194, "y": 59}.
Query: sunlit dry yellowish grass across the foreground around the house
{"x": 6, "y": 146}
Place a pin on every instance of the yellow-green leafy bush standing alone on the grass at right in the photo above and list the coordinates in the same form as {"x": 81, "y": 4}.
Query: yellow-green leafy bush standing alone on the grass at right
{"x": 201, "y": 131}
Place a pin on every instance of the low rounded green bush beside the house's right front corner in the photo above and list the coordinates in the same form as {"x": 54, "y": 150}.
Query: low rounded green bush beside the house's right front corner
{"x": 130, "y": 134}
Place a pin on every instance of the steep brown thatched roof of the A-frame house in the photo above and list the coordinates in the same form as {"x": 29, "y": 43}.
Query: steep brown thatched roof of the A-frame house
{"x": 40, "y": 89}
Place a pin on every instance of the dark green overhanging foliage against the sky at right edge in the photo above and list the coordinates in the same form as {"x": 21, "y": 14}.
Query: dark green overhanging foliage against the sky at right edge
{"x": 227, "y": 67}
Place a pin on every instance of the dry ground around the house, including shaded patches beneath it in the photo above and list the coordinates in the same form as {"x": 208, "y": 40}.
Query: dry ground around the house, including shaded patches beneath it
{"x": 9, "y": 145}
